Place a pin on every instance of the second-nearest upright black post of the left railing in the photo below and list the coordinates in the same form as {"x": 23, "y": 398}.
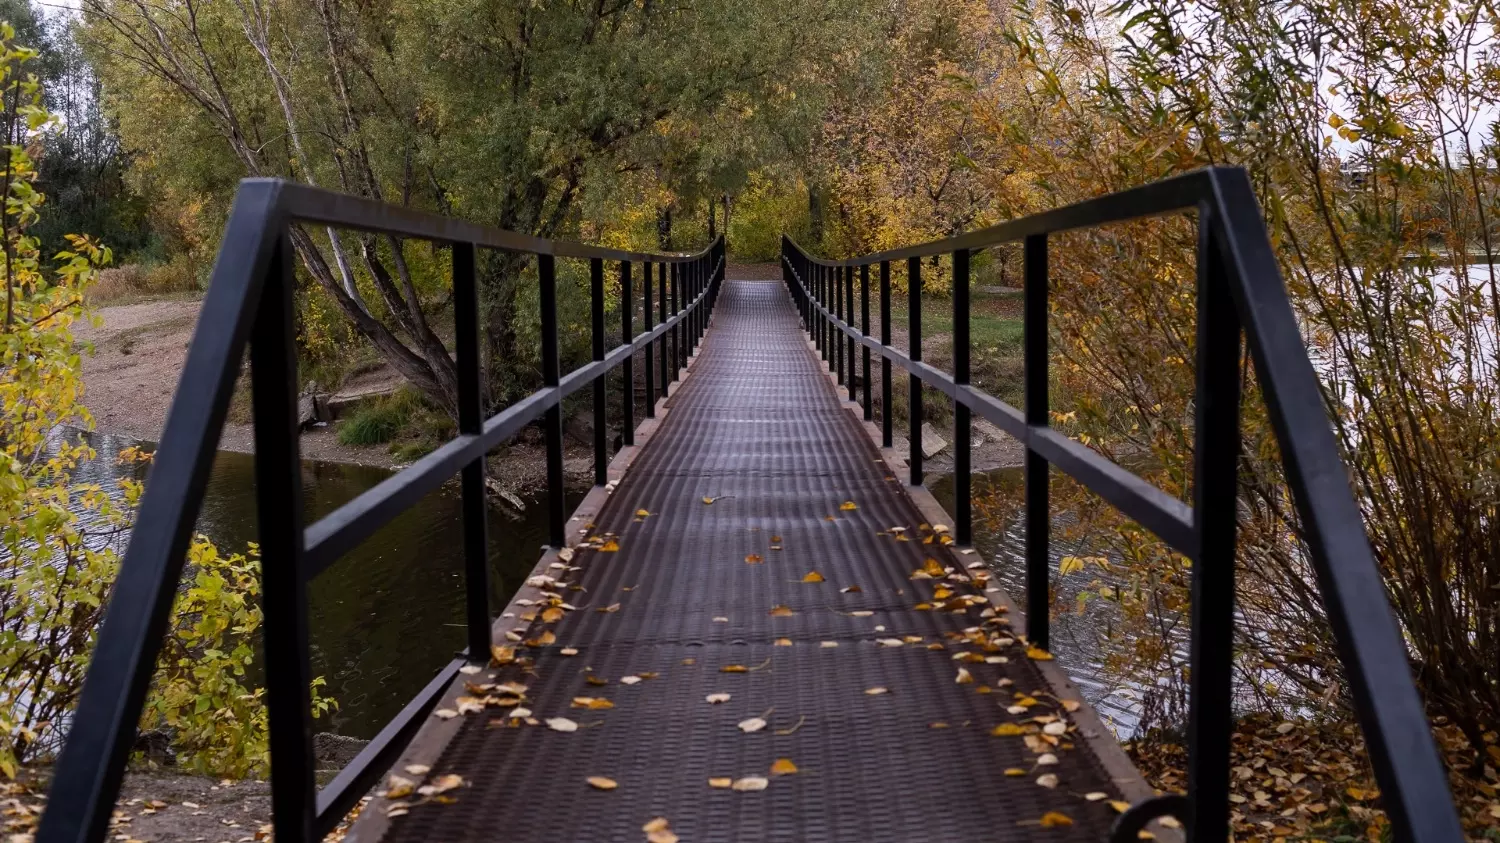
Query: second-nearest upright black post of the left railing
{"x": 472, "y": 422}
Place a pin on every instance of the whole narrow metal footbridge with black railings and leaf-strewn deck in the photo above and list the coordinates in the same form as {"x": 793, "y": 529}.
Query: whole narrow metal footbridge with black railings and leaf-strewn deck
{"x": 758, "y": 625}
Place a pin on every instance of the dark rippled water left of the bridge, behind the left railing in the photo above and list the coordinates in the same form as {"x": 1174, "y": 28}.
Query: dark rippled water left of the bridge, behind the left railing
{"x": 388, "y": 616}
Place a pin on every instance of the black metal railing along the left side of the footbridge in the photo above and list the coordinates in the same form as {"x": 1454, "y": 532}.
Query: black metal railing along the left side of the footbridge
{"x": 250, "y": 301}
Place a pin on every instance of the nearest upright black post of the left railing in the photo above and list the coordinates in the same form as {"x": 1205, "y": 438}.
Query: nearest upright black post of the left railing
{"x": 284, "y": 589}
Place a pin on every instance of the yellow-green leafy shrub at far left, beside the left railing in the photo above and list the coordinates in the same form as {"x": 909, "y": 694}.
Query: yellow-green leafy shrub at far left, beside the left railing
{"x": 61, "y": 539}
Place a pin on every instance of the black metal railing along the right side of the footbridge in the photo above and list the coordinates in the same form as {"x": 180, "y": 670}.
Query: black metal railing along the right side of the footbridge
{"x": 1240, "y": 287}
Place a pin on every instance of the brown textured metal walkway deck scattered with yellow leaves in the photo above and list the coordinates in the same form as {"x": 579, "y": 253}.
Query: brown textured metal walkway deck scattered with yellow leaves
{"x": 758, "y": 428}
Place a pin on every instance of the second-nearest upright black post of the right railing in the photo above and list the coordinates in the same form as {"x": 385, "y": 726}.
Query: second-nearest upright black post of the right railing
{"x": 1039, "y": 509}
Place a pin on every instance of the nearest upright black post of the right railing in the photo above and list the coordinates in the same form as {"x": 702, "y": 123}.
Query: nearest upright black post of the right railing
{"x": 1216, "y": 457}
